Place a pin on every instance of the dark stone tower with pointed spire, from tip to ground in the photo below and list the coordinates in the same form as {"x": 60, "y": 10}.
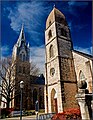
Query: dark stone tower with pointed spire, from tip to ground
{"x": 20, "y": 57}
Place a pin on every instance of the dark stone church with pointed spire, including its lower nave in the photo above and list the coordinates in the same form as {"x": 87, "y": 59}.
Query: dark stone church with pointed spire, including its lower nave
{"x": 33, "y": 85}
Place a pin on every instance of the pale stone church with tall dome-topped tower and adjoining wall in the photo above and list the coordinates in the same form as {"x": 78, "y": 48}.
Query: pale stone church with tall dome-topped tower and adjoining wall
{"x": 64, "y": 66}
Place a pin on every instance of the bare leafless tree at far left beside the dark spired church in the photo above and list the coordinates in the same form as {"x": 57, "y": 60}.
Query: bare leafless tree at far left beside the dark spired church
{"x": 7, "y": 85}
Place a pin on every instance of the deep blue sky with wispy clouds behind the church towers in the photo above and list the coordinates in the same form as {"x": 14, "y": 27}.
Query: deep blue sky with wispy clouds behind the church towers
{"x": 33, "y": 15}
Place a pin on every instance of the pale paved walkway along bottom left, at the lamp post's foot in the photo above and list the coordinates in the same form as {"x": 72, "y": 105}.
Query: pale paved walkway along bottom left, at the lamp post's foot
{"x": 32, "y": 117}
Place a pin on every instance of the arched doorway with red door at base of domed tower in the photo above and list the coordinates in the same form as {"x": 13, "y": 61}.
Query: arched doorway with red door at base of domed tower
{"x": 54, "y": 101}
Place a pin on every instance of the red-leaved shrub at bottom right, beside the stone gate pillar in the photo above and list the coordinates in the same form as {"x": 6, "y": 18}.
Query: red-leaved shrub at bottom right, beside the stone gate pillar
{"x": 69, "y": 114}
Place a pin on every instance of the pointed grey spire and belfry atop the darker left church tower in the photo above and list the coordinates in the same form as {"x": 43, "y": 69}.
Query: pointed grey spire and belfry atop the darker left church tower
{"x": 21, "y": 49}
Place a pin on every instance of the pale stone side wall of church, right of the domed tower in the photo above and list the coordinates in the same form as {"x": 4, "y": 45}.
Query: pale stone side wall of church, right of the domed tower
{"x": 83, "y": 64}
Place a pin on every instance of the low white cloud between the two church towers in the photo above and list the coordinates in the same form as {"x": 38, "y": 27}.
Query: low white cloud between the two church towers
{"x": 37, "y": 55}
